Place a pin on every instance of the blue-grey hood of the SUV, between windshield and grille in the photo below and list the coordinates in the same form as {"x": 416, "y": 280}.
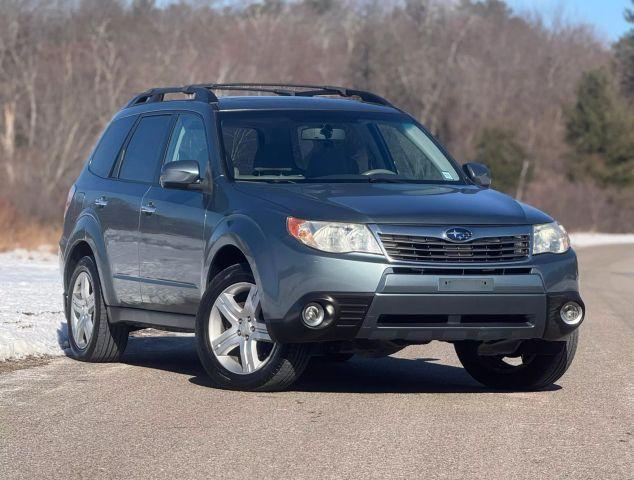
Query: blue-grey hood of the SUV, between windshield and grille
{"x": 385, "y": 203}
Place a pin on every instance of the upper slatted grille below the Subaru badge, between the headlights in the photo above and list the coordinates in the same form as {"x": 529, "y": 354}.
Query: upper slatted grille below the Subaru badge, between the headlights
{"x": 411, "y": 248}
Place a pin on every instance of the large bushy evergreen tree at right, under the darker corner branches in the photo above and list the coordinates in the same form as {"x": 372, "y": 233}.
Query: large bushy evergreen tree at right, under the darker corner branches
{"x": 600, "y": 130}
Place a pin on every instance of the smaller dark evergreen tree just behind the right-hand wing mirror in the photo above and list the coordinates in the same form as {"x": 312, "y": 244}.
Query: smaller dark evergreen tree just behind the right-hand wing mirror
{"x": 499, "y": 150}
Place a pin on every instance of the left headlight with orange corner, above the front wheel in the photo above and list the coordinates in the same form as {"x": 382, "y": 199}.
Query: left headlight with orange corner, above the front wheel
{"x": 333, "y": 237}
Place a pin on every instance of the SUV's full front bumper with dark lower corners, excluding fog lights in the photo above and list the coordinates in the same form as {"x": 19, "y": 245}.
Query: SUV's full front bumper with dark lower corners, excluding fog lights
{"x": 450, "y": 303}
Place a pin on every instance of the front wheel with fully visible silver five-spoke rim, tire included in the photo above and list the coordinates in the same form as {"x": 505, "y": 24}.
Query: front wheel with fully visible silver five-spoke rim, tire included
{"x": 241, "y": 360}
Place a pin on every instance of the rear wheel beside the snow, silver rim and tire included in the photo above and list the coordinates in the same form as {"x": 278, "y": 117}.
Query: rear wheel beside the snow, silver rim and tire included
{"x": 101, "y": 342}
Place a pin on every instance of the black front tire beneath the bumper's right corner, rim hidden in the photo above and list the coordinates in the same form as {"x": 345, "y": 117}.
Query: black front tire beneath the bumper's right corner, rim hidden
{"x": 534, "y": 373}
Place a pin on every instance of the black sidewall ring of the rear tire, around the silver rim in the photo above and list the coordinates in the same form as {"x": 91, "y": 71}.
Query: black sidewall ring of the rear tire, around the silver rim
{"x": 86, "y": 265}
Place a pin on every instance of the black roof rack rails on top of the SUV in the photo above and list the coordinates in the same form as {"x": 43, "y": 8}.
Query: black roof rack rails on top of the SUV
{"x": 204, "y": 92}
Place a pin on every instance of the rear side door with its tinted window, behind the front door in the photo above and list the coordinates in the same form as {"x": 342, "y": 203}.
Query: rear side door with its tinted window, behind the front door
{"x": 135, "y": 172}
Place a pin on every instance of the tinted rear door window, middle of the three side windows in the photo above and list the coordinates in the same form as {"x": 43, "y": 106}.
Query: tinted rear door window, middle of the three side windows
{"x": 144, "y": 152}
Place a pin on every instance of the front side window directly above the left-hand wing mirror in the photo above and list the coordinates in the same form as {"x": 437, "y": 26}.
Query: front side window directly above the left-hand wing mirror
{"x": 189, "y": 142}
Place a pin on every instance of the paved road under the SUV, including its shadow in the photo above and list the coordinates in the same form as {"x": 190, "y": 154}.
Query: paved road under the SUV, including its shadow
{"x": 415, "y": 416}
